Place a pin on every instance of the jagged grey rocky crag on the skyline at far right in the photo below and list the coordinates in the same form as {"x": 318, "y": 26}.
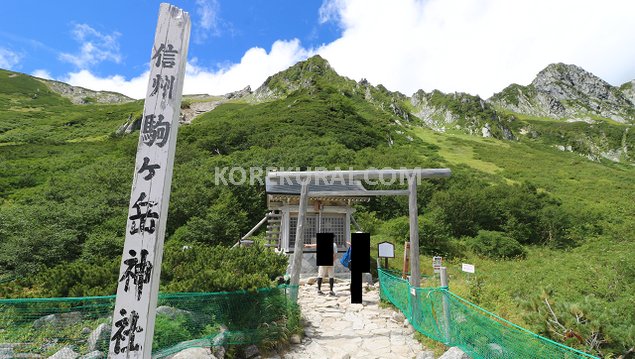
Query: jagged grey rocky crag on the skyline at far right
{"x": 569, "y": 92}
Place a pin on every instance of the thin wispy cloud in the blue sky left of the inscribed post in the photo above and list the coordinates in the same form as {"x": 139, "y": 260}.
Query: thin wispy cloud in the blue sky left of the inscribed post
{"x": 95, "y": 47}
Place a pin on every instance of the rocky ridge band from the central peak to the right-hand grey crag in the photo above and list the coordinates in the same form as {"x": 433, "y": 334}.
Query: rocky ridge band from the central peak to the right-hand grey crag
{"x": 559, "y": 93}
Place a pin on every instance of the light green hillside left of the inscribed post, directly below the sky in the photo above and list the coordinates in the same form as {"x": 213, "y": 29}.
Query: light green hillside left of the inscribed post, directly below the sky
{"x": 42, "y": 134}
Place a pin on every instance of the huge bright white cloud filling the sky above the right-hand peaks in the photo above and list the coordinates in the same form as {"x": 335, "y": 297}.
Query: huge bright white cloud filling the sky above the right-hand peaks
{"x": 477, "y": 46}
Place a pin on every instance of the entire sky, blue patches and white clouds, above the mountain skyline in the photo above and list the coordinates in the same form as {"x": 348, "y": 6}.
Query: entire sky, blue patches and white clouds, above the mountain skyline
{"x": 475, "y": 46}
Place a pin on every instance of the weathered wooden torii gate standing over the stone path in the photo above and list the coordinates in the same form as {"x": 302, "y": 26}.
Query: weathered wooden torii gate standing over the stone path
{"x": 413, "y": 176}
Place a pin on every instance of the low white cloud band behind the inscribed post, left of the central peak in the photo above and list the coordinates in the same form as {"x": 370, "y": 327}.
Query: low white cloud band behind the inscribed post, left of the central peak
{"x": 254, "y": 68}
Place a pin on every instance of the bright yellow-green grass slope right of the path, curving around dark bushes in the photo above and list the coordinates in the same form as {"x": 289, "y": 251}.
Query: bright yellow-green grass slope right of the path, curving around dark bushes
{"x": 593, "y": 278}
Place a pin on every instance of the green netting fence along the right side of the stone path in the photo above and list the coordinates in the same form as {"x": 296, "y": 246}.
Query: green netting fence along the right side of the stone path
{"x": 445, "y": 317}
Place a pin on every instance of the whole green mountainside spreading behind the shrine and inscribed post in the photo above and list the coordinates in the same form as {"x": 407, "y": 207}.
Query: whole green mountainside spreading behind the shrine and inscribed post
{"x": 539, "y": 223}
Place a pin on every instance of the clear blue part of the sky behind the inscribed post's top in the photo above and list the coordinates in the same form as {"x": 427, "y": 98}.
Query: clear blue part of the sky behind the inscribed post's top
{"x": 39, "y": 31}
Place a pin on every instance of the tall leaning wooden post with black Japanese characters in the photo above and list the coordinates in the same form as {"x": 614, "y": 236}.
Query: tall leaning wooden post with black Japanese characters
{"x": 138, "y": 287}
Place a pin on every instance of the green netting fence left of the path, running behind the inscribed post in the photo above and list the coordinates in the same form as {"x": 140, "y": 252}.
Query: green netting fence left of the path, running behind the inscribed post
{"x": 72, "y": 327}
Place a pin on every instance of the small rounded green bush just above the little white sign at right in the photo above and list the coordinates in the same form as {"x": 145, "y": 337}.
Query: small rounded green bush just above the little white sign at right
{"x": 497, "y": 245}
